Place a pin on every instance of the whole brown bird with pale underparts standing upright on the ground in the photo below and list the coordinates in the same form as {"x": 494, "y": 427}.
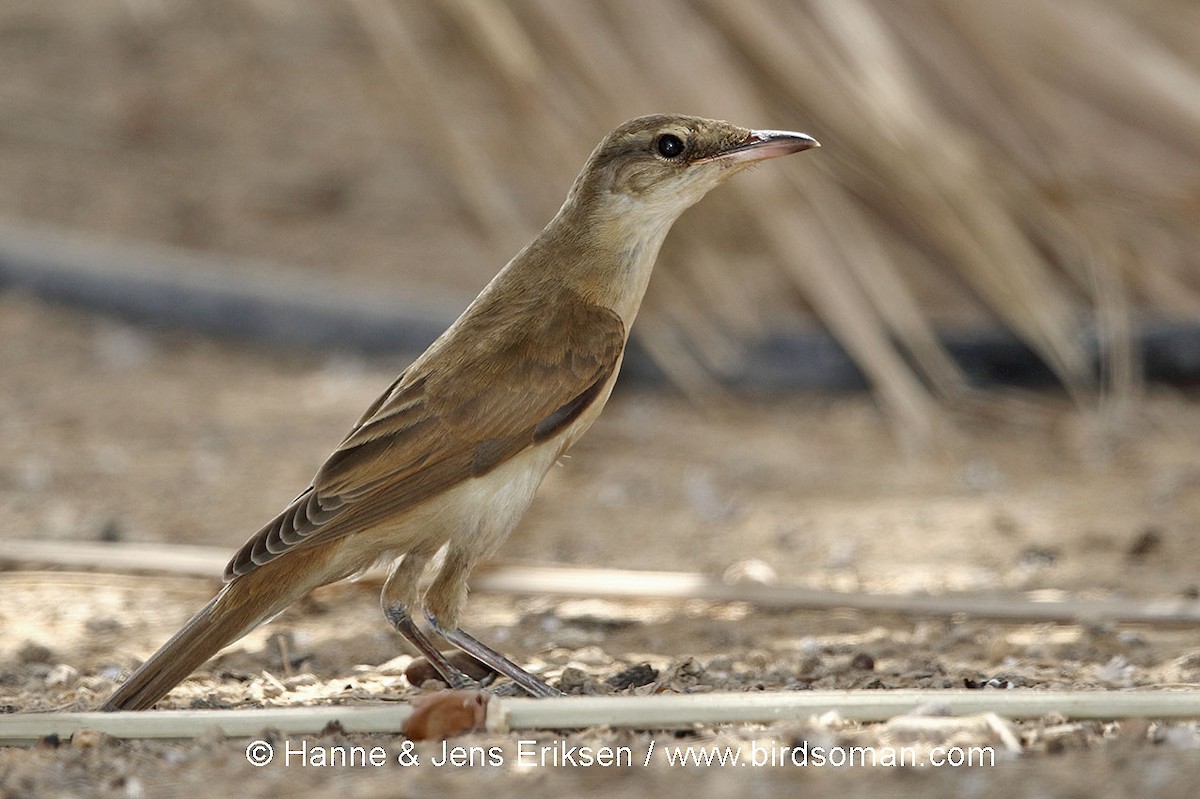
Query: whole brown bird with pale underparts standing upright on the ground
{"x": 448, "y": 459}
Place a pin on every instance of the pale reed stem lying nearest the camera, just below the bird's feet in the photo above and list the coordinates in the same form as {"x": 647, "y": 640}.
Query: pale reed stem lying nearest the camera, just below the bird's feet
{"x": 652, "y": 712}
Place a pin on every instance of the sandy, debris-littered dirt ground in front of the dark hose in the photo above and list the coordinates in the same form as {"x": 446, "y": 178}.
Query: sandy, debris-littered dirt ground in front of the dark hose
{"x": 118, "y": 434}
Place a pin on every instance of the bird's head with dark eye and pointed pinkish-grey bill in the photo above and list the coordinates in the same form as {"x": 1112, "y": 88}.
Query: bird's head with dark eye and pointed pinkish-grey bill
{"x": 659, "y": 166}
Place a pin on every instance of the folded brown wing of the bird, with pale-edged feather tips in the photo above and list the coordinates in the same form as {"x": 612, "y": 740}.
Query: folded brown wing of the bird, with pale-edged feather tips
{"x": 497, "y": 386}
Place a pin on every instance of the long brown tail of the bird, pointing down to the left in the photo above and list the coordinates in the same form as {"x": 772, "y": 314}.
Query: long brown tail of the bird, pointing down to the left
{"x": 242, "y": 606}
